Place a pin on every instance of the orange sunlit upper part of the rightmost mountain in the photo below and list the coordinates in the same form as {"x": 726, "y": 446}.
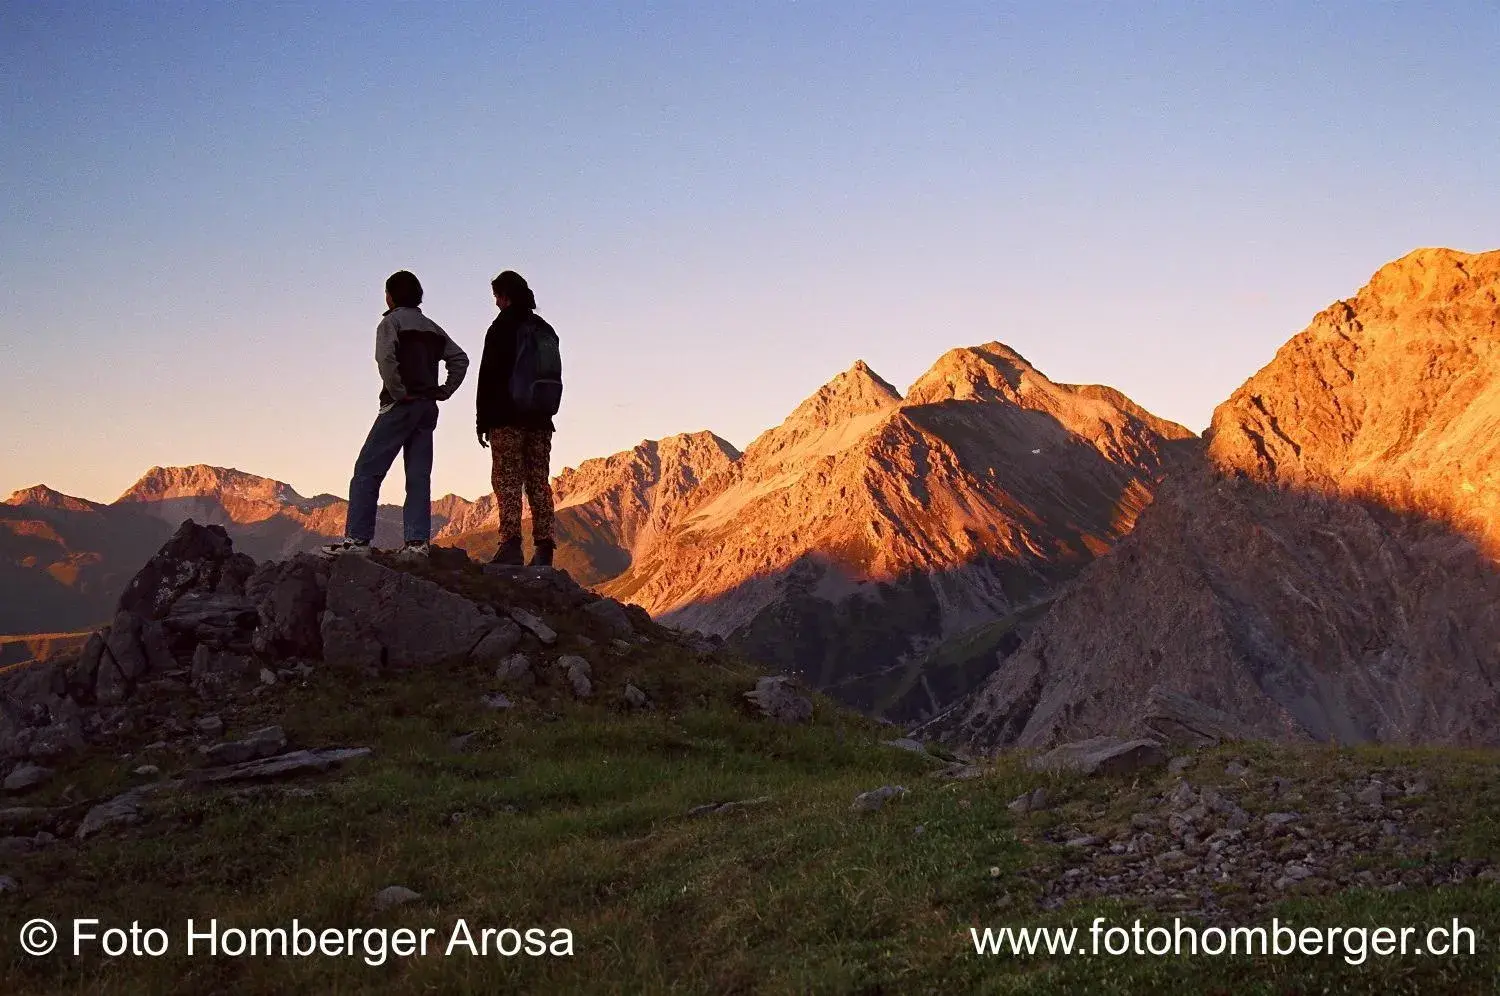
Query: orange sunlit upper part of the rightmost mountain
{"x": 1393, "y": 395}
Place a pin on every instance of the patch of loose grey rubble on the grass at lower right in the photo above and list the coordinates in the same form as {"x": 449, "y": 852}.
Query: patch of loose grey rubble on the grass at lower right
{"x": 1223, "y": 841}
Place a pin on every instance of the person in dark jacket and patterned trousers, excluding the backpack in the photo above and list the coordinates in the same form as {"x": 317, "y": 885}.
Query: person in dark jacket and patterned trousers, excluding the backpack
{"x": 520, "y": 443}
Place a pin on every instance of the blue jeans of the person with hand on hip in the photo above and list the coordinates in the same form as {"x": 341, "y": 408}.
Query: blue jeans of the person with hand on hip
{"x": 406, "y": 430}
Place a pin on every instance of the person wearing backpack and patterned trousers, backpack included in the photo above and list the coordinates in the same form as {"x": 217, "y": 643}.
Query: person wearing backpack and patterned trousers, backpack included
{"x": 520, "y": 391}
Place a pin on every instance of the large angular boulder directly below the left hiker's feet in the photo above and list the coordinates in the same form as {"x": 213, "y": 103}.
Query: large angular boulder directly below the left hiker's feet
{"x": 415, "y": 622}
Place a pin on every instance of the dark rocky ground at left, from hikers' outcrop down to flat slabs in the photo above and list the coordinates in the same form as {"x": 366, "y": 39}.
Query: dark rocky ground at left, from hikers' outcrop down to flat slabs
{"x": 206, "y": 641}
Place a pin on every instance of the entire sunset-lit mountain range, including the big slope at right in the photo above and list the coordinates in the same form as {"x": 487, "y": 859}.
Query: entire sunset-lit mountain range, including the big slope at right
{"x": 1010, "y": 559}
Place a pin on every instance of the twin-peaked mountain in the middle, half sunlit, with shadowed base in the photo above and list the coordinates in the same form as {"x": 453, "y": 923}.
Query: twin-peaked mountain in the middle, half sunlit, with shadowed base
{"x": 859, "y": 539}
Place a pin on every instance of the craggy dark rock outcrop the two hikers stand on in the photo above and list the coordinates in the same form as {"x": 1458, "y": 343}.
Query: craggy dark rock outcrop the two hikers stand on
{"x": 203, "y": 620}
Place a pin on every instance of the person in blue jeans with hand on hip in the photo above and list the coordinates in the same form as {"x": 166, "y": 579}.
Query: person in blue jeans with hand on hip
{"x": 409, "y": 349}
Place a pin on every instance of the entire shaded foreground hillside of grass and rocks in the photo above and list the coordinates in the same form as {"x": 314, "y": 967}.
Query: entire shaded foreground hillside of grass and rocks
{"x": 376, "y": 743}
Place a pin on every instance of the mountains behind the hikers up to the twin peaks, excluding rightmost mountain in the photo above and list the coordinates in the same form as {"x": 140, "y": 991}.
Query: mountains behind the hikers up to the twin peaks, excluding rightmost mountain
{"x": 848, "y": 544}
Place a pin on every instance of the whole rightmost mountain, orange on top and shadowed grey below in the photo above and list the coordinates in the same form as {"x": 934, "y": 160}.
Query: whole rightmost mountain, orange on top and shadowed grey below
{"x": 1330, "y": 568}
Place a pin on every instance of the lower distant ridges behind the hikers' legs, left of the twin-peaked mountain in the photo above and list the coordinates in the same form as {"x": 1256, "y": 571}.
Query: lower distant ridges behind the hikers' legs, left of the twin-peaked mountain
{"x": 64, "y": 560}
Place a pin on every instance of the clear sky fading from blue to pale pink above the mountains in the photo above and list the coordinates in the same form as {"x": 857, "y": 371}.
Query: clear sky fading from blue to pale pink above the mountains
{"x": 719, "y": 205}
